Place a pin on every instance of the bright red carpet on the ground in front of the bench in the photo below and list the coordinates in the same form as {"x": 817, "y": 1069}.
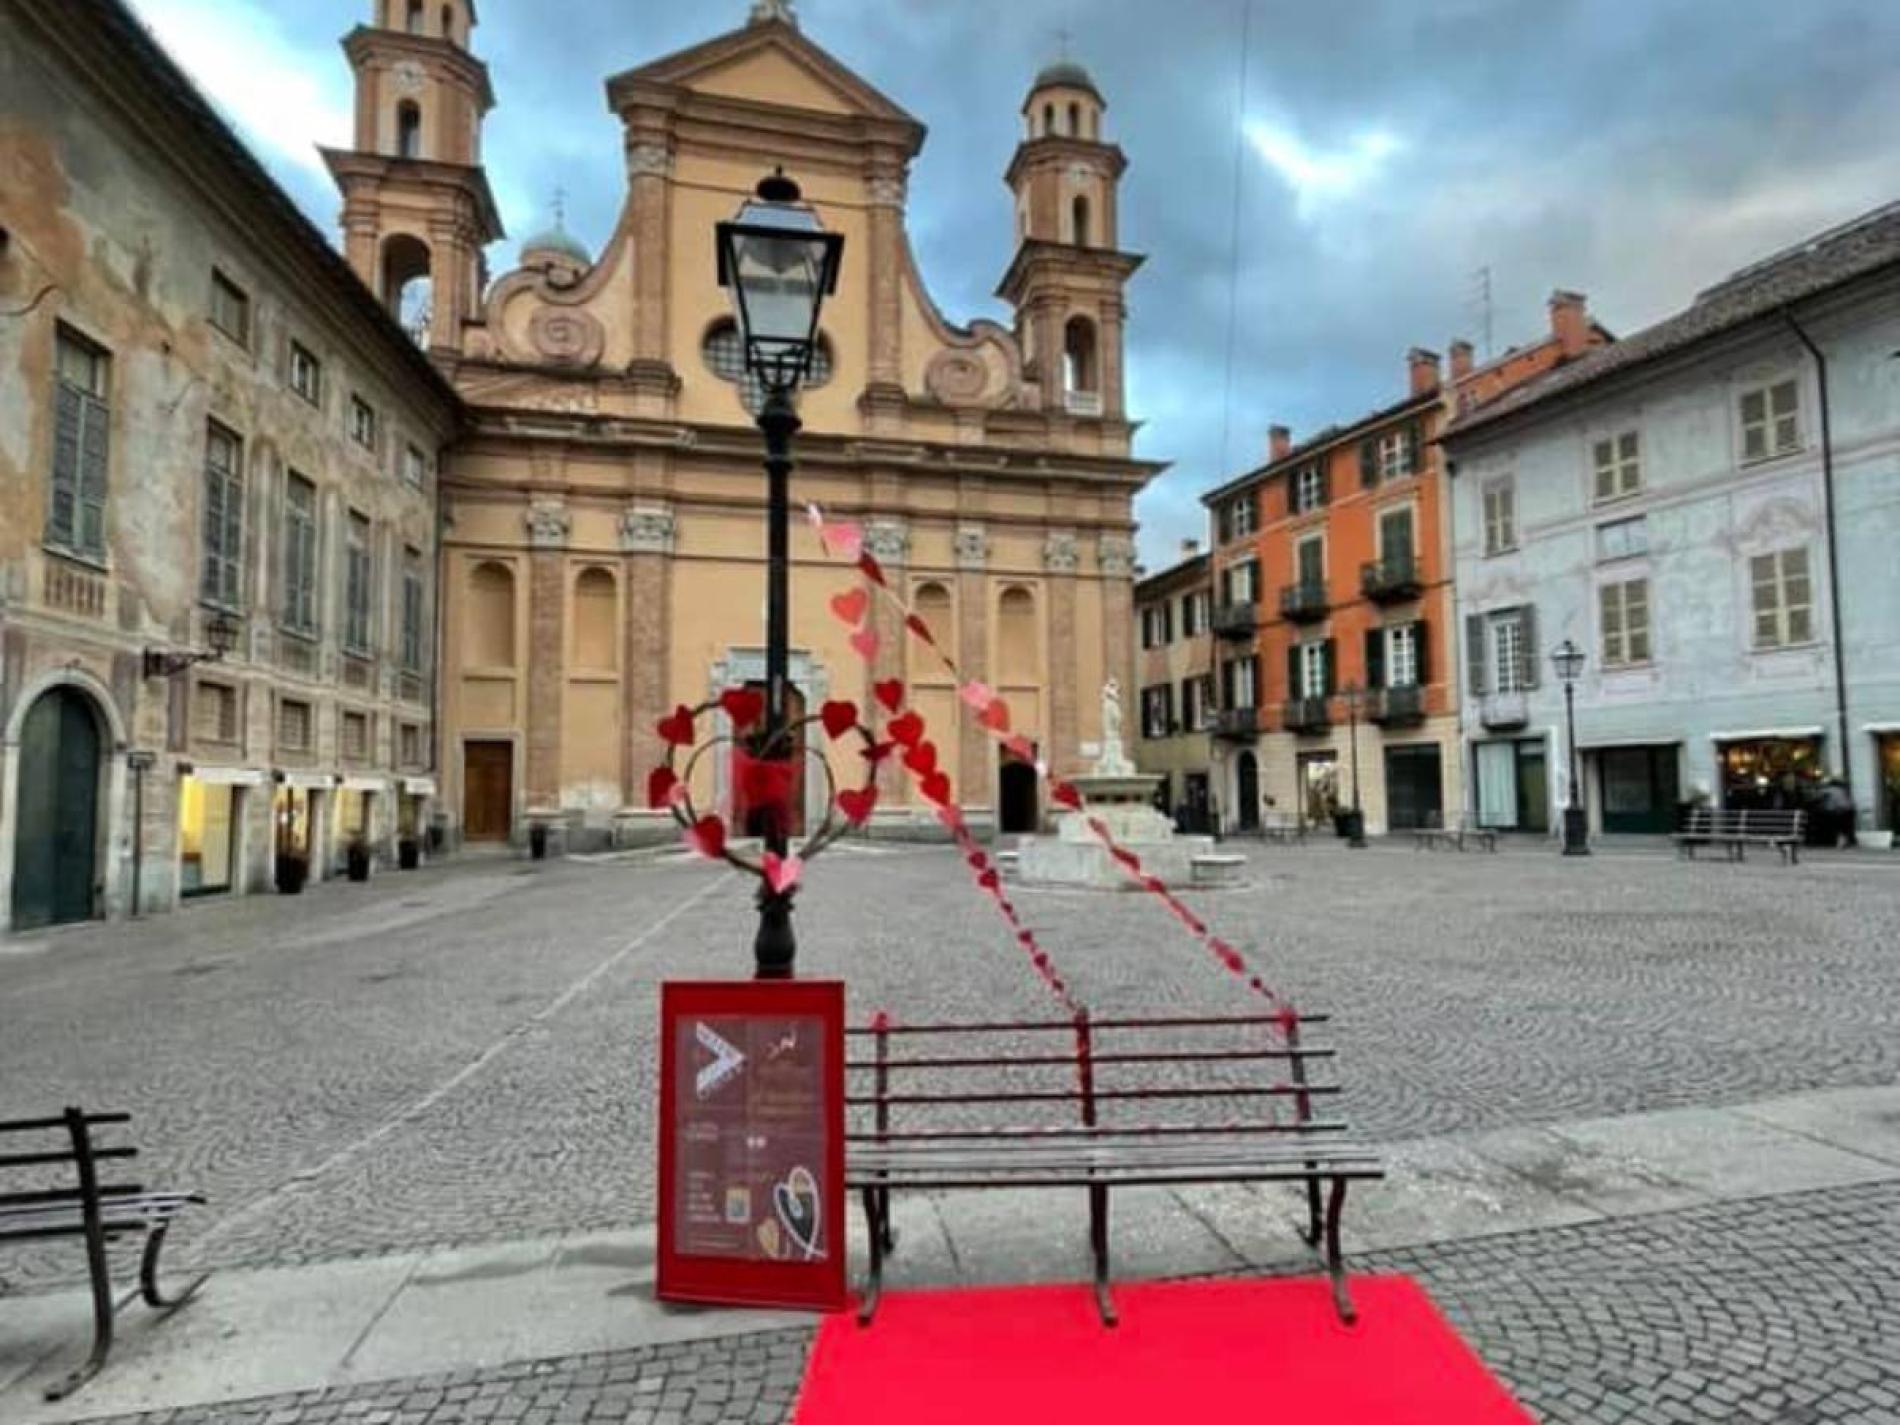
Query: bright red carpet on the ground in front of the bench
{"x": 1185, "y": 1354}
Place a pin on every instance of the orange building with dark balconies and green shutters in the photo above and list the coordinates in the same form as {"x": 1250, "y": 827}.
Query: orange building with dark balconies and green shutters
{"x": 1335, "y": 613}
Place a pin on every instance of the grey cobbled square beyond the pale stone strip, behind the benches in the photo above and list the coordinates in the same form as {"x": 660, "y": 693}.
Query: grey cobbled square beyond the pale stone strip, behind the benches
{"x": 468, "y": 1054}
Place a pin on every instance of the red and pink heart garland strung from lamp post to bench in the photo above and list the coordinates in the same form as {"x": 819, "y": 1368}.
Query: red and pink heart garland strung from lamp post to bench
{"x": 993, "y": 715}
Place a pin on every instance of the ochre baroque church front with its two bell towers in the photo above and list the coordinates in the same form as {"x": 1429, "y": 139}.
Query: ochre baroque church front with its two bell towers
{"x": 603, "y": 508}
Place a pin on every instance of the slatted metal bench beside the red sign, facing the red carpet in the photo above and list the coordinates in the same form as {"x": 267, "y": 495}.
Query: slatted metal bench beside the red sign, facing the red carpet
{"x": 1048, "y": 1105}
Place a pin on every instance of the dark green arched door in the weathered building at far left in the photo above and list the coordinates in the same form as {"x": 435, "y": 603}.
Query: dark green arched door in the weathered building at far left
{"x": 56, "y": 850}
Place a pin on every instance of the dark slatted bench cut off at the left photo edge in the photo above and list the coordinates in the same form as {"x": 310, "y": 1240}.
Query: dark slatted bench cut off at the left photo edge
{"x": 88, "y": 1209}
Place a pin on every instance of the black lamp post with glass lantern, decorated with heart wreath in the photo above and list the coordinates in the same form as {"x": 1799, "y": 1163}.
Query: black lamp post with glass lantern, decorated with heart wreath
{"x": 780, "y": 265}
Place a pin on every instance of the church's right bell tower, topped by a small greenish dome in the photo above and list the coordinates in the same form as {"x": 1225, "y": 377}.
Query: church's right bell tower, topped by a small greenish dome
{"x": 1069, "y": 276}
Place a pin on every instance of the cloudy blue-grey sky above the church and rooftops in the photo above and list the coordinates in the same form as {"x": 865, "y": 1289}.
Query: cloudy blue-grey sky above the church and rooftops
{"x": 1386, "y": 153}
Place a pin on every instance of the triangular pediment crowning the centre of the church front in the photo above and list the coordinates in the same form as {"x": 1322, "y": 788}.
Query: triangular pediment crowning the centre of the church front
{"x": 767, "y": 64}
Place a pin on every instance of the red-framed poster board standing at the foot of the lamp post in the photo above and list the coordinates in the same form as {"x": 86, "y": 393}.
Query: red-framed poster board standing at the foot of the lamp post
{"x": 751, "y": 1143}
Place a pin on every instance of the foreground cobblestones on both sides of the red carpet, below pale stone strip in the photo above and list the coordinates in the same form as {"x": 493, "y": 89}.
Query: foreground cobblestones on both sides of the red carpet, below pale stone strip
{"x": 1783, "y": 1312}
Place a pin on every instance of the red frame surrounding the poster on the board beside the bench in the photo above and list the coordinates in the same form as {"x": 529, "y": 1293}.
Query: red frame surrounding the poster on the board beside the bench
{"x": 723, "y": 1280}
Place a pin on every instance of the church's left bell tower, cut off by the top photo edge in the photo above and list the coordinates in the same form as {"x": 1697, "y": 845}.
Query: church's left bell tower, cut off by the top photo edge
{"x": 417, "y": 202}
